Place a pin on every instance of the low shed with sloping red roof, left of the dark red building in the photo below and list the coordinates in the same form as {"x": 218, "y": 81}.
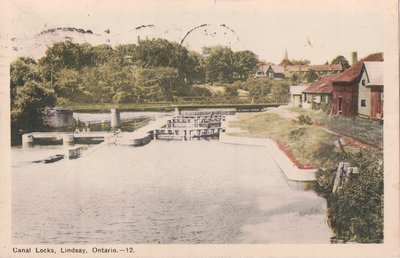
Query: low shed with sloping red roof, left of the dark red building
{"x": 319, "y": 94}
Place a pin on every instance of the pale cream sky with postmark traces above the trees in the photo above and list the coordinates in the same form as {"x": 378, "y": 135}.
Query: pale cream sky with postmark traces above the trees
{"x": 307, "y": 29}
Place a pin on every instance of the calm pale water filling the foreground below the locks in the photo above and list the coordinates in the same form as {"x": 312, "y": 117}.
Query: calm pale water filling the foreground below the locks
{"x": 164, "y": 192}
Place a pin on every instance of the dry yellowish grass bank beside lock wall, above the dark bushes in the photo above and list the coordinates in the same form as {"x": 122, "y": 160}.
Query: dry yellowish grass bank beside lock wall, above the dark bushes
{"x": 299, "y": 134}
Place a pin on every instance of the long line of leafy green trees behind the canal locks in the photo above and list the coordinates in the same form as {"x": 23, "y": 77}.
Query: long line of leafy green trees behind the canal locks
{"x": 153, "y": 70}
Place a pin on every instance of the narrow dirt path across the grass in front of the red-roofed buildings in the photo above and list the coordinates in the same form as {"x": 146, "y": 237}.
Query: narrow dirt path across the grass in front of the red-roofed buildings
{"x": 284, "y": 112}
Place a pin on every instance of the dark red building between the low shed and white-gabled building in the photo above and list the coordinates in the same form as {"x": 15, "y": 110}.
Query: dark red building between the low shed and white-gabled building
{"x": 346, "y": 86}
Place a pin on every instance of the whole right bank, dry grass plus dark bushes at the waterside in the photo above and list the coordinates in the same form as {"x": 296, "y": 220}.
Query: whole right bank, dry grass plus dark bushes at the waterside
{"x": 355, "y": 212}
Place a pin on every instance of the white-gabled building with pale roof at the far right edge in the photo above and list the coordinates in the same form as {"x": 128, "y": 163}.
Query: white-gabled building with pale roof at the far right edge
{"x": 370, "y": 90}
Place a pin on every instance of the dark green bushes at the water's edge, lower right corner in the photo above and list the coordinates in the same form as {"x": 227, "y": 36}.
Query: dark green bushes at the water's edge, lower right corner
{"x": 357, "y": 208}
